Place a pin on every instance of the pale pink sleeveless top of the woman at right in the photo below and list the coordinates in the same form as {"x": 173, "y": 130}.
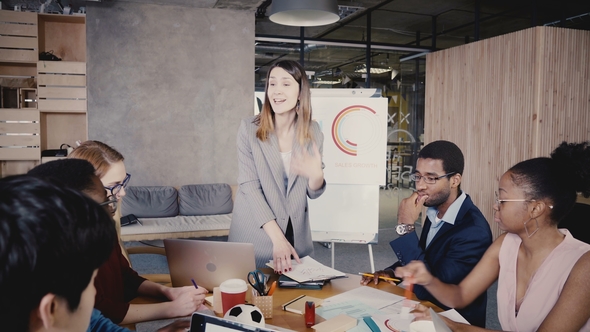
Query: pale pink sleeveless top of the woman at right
{"x": 544, "y": 287}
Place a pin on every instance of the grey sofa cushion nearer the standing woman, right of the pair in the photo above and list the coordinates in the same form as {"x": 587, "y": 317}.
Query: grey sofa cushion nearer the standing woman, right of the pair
{"x": 205, "y": 199}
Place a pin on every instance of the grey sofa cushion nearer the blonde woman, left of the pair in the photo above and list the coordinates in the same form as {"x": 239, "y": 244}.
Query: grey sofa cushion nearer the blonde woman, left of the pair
{"x": 150, "y": 201}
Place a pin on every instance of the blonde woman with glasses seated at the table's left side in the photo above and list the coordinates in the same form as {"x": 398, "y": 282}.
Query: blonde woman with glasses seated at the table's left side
{"x": 116, "y": 282}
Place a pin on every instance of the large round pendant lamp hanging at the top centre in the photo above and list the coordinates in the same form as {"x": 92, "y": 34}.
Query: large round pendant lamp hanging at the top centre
{"x": 304, "y": 13}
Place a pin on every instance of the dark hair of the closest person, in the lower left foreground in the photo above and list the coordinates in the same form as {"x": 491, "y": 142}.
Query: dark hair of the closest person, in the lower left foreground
{"x": 51, "y": 240}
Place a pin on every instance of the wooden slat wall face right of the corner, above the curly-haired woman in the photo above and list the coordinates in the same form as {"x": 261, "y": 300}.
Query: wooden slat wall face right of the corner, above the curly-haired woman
{"x": 563, "y": 88}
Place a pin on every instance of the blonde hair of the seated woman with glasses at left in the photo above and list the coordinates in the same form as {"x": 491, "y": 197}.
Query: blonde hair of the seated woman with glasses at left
{"x": 100, "y": 155}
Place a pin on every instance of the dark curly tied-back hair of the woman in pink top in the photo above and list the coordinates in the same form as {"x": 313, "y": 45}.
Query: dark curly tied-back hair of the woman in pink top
{"x": 557, "y": 179}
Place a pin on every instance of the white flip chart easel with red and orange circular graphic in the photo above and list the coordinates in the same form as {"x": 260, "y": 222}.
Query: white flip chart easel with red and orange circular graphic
{"x": 354, "y": 124}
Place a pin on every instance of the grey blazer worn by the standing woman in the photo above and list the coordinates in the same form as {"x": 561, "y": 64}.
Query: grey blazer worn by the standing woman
{"x": 262, "y": 196}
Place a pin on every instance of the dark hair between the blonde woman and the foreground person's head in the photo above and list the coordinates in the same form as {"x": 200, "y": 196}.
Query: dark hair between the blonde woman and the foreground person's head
{"x": 73, "y": 173}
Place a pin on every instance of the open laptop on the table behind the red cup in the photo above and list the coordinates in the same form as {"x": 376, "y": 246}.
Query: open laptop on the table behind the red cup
{"x": 209, "y": 263}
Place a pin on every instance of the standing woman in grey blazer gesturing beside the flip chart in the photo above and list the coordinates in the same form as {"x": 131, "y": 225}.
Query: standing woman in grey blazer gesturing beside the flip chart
{"x": 280, "y": 165}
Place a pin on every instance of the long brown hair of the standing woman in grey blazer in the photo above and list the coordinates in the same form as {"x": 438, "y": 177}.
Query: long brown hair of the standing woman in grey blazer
{"x": 265, "y": 120}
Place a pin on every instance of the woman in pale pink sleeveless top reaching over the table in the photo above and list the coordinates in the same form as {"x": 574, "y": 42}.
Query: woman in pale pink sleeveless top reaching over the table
{"x": 542, "y": 271}
